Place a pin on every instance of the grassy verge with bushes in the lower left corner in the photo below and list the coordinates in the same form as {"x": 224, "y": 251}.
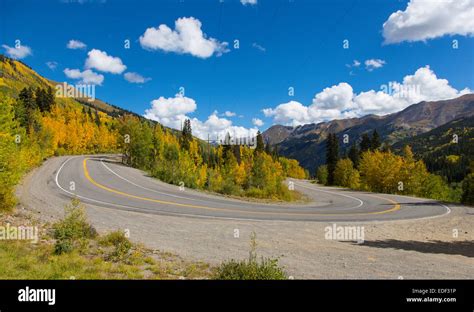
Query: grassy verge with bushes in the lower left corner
{"x": 72, "y": 249}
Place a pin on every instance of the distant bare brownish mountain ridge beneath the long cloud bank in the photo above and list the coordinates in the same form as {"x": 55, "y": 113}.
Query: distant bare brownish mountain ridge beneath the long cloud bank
{"x": 307, "y": 143}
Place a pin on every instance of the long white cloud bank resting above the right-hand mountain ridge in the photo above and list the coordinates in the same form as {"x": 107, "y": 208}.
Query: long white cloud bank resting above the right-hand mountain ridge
{"x": 339, "y": 101}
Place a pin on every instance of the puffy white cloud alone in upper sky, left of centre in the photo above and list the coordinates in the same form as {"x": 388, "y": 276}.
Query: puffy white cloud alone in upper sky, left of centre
{"x": 187, "y": 37}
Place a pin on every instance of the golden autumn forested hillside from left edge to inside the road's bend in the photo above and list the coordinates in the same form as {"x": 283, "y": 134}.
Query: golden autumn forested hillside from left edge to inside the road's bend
{"x": 36, "y": 124}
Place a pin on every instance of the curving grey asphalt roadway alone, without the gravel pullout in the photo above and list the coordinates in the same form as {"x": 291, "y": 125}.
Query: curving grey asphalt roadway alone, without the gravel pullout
{"x": 103, "y": 181}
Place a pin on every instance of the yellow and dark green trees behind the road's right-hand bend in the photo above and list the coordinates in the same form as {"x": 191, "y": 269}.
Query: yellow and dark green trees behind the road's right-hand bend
{"x": 373, "y": 167}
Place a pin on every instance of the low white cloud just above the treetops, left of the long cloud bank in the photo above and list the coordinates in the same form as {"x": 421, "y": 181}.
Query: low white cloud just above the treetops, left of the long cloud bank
{"x": 172, "y": 112}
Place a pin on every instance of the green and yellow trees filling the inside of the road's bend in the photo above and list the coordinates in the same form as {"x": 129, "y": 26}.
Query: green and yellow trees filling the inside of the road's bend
{"x": 227, "y": 169}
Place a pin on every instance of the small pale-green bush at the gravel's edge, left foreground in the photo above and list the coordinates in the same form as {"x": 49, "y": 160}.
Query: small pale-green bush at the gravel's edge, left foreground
{"x": 74, "y": 230}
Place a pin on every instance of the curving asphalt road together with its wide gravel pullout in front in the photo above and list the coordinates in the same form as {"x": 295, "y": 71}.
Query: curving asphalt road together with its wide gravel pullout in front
{"x": 423, "y": 245}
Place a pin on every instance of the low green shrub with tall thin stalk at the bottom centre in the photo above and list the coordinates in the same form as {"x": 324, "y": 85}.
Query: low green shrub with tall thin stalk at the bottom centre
{"x": 252, "y": 268}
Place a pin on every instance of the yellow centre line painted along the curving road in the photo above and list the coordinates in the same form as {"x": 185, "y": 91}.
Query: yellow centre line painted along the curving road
{"x": 88, "y": 177}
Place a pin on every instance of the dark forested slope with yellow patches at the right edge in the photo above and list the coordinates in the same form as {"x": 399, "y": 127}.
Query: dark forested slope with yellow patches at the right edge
{"x": 447, "y": 150}
